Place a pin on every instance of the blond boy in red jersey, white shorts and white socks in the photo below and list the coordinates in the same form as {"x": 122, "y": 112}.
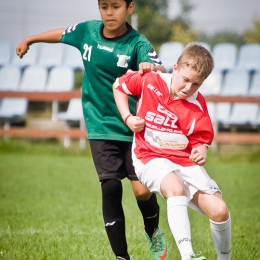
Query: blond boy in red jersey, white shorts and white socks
{"x": 172, "y": 133}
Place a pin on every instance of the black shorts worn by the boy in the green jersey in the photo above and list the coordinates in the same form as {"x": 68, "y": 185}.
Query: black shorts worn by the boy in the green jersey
{"x": 113, "y": 159}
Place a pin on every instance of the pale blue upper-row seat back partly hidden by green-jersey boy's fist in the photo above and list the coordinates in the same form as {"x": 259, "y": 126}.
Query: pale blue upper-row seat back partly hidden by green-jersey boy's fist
{"x": 29, "y": 59}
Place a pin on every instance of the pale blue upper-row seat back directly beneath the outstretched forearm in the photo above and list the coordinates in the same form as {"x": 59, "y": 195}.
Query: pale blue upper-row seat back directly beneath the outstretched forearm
{"x": 50, "y": 55}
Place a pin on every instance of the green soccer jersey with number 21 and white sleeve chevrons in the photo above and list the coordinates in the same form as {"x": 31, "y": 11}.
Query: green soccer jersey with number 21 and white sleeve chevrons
{"x": 104, "y": 60}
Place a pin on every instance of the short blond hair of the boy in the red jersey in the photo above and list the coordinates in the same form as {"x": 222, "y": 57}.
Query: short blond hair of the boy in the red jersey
{"x": 197, "y": 58}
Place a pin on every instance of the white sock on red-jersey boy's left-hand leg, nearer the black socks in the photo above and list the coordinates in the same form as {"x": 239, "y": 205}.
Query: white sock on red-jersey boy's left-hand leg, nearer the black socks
{"x": 178, "y": 219}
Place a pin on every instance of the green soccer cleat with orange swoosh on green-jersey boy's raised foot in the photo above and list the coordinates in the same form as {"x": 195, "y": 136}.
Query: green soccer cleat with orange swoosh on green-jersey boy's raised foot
{"x": 158, "y": 247}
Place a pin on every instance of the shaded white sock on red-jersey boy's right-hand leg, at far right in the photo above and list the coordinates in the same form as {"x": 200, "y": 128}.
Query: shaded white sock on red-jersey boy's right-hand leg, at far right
{"x": 221, "y": 234}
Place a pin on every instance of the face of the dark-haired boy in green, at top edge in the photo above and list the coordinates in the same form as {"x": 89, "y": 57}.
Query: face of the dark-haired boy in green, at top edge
{"x": 114, "y": 14}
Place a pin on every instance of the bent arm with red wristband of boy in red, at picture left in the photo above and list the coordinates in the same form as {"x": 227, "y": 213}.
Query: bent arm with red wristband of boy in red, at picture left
{"x": 135, "y": 123}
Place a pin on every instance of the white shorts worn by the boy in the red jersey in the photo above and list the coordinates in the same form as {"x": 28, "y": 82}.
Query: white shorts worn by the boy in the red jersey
{"x": 195, "y": 178}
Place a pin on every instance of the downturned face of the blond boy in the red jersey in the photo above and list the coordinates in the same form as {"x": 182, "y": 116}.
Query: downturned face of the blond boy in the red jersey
{"x": 185, "y": 82}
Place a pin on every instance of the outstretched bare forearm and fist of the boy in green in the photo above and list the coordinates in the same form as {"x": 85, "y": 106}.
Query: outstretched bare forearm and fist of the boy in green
{"x": 52, "y": 36}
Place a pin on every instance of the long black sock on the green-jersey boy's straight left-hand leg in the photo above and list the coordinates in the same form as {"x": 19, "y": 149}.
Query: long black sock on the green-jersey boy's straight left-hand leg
{"x": 113, "y": 215}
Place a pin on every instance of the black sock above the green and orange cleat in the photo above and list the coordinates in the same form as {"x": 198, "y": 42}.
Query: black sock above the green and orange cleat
{"x": 150, "y": 211}
